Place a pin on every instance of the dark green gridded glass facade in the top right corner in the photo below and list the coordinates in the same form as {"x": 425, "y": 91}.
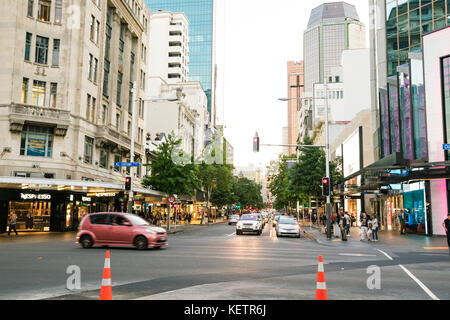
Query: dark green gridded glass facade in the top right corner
{"x": 407, "y": 21}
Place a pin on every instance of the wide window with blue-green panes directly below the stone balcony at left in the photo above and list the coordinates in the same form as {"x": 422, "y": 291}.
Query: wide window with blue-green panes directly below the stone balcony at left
{"x": 36, "y": 141}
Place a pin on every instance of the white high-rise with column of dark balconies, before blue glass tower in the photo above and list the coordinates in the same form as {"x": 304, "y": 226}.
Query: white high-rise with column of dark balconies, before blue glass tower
{"x": 169, "y": 46}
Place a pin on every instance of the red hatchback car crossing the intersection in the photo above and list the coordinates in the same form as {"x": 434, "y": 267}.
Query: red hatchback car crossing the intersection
{"x": 119, "y": 229}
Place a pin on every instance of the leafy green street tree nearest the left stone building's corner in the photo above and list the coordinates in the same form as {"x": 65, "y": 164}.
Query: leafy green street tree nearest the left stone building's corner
{"x": 169, "y": 177}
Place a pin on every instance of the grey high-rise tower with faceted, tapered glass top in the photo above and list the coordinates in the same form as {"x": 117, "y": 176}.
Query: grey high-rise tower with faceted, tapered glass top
{"x": 332, "y": 28}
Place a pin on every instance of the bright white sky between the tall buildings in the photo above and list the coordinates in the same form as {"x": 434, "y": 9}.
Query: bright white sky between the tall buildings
{"x": 255, "y": 39}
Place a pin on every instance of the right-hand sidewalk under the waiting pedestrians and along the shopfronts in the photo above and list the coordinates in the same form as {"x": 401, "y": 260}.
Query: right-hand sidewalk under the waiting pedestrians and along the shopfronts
{"x": 389, "y": 239}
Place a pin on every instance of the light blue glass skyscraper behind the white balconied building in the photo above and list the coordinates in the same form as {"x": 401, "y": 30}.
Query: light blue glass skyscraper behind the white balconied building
{"x": 201, "y": 35}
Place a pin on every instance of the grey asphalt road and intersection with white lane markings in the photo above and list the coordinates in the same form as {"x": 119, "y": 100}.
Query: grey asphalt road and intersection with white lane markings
{"x": 214, "y": 263}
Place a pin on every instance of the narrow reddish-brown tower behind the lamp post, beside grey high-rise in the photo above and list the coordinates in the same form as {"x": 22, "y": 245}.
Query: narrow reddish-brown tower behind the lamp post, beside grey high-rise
{"x": 295, "y": 91}
